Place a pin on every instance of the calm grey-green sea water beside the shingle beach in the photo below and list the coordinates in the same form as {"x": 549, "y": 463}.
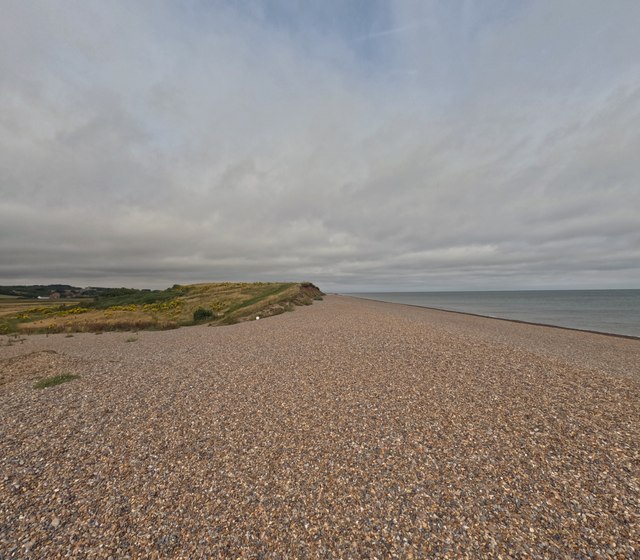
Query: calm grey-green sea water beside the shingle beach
{"x": 610, "y": 311}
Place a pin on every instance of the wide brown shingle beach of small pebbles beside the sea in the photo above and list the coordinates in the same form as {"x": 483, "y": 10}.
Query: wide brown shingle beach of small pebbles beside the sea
{"x": 346, "y": 429}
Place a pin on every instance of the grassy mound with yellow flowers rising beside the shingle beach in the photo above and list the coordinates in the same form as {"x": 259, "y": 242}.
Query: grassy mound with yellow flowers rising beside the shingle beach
{"x": 130, "y": 309}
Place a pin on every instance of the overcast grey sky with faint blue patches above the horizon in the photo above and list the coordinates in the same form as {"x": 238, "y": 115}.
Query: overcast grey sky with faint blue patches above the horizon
{"x": 362, "y": 145}
